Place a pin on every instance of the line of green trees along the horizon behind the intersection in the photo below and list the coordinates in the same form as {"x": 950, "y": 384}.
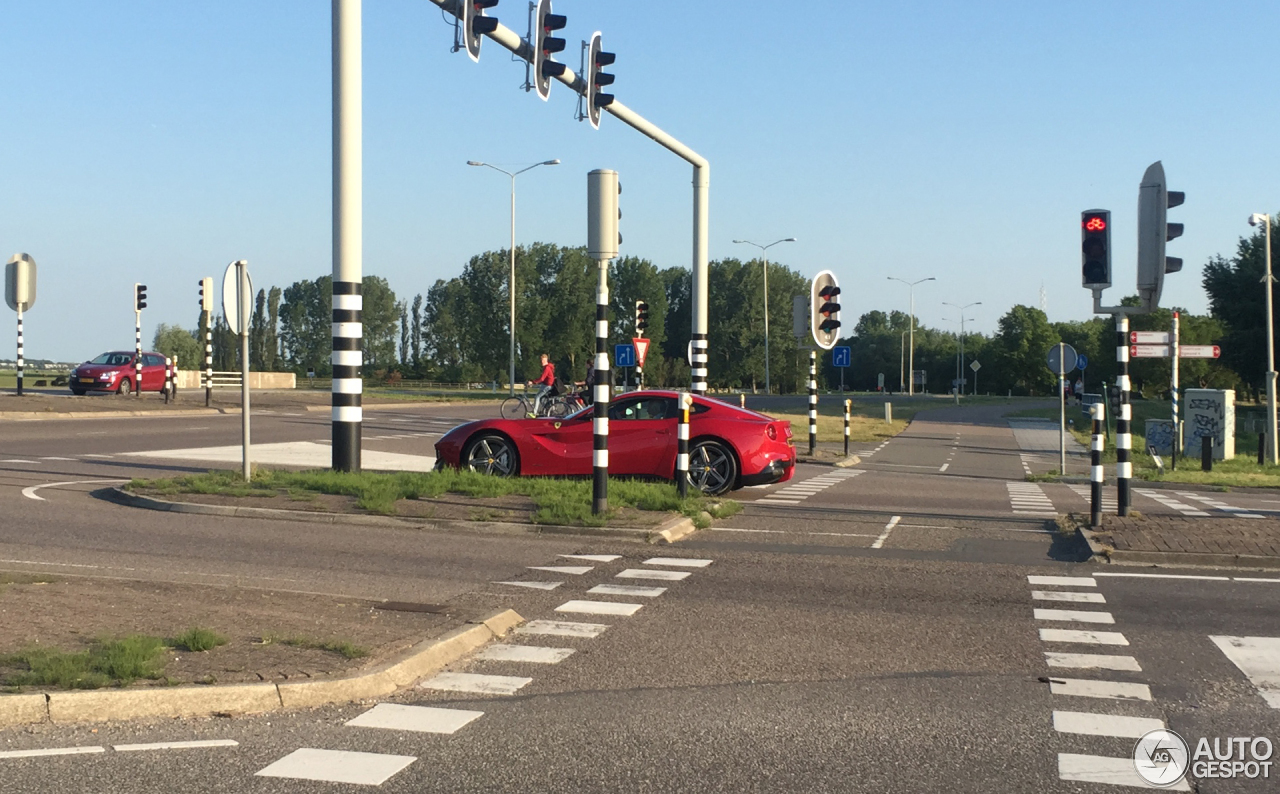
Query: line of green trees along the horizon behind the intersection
{"x": 459, "y": 330}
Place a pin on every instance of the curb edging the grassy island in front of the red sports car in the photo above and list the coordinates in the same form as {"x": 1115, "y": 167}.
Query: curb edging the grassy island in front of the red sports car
{"x": 666, "y": 532}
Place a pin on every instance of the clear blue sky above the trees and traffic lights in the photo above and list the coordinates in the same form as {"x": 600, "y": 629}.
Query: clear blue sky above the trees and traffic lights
{"x": 157, "y": 142}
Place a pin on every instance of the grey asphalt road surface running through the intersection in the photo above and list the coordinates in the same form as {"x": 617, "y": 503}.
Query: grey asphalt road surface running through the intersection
{"x": 872, "y": 632}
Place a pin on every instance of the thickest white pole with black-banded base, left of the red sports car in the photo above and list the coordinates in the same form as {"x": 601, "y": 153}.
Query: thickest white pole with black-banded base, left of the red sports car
{"x": 348, "y": 238}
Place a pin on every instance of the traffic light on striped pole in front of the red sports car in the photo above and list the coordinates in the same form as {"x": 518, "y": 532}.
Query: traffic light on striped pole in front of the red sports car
{"x": 602, "y": 245}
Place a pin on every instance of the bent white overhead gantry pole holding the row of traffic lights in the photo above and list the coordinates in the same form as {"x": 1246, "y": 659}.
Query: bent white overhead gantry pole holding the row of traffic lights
{"x": 513, "y": 42}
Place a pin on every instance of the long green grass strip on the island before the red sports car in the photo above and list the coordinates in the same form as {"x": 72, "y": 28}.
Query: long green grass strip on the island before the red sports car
{"x": 556, "y": 501}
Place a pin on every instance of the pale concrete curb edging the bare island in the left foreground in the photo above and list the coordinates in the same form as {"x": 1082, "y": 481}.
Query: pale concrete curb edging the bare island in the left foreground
{"x": 100, "y": 706}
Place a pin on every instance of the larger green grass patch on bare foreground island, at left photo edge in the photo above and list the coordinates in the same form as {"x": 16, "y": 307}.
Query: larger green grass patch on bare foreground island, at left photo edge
{"x": 107, "y": 663}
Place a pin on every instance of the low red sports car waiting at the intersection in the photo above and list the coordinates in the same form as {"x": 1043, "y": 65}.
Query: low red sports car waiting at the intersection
{"x": 730, "y": 448}
